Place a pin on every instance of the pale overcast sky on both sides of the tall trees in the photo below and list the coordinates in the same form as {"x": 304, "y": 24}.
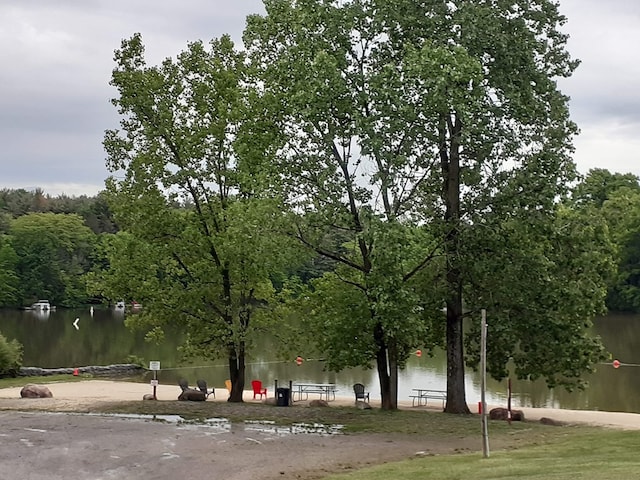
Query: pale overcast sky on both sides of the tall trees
{"x": 57, "y": 58}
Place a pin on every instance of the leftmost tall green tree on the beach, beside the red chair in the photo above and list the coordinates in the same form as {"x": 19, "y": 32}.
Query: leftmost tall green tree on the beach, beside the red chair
{"x": 198, "y": 210}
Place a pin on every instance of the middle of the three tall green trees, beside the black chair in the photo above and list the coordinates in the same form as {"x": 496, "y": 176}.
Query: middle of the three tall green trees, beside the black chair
{"x": 356, "y": 171}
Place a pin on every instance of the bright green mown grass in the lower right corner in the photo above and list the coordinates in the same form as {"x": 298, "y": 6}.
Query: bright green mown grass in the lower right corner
{"x": 583, "y": 454}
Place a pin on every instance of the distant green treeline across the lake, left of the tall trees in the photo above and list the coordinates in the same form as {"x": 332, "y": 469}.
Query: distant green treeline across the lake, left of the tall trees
{"x": 55, "y": 248}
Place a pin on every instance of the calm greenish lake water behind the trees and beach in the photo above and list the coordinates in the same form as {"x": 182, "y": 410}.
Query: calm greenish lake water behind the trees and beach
{"x": 51, "y": 340}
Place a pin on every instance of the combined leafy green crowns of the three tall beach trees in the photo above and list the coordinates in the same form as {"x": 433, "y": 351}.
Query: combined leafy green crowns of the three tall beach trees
{"x": 392, "y": 136}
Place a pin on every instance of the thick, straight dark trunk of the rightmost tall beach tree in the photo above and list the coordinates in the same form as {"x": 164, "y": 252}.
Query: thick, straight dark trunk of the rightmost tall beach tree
{"x": 451, "y": 128}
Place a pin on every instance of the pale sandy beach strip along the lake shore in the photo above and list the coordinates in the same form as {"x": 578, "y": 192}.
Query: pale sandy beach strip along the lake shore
{"x": 83, "y": 394}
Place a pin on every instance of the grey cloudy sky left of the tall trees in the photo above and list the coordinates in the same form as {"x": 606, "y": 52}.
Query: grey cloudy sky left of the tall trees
{"x": 54, "y": 89}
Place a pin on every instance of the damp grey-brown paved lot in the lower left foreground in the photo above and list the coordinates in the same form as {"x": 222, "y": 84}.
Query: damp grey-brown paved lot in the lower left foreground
{"x": 57, "y": 446}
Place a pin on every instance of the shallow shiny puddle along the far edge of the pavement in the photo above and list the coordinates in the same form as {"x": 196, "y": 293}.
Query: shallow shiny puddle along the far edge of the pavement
{"x": 223, "y": 425}
